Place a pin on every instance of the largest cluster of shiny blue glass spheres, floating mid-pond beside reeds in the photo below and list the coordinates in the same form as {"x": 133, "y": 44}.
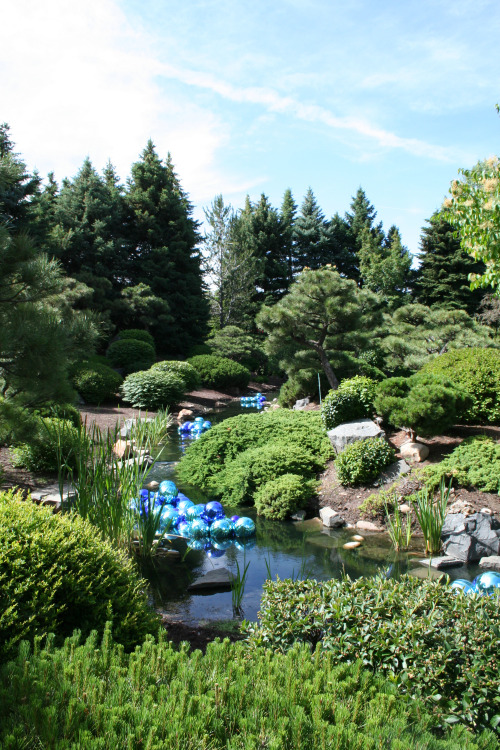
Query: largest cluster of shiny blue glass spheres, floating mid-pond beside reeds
{"x": 205, "y": 526}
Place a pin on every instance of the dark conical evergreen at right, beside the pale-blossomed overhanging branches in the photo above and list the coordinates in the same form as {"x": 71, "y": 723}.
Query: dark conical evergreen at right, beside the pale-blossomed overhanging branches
{"x": 443, "y": 276}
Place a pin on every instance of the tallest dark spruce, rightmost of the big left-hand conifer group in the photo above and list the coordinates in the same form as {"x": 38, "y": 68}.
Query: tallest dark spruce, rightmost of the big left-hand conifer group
{"x": 165, "y": 254}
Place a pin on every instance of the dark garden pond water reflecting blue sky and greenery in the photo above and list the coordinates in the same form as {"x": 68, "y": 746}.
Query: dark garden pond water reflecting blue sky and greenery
{"x": 285, "y": 549}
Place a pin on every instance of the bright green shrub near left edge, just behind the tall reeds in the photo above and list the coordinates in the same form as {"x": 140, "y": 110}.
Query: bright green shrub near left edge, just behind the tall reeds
{"x": 53, "y": 440}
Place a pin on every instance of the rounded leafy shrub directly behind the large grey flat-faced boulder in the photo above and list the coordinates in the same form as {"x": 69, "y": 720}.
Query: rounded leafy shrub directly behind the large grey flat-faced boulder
{"x": 353, "y": 399}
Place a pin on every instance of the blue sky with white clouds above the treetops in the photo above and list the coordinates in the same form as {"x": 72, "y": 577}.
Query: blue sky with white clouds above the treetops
{"x": 257, "y": 97}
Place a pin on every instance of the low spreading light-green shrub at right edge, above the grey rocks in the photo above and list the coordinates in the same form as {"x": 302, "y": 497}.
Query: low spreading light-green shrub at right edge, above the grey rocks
{"x": 474, "y": 463}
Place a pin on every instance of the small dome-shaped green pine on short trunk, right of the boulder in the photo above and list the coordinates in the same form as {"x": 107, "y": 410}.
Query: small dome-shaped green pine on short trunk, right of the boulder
{"x": 425, "y": 403}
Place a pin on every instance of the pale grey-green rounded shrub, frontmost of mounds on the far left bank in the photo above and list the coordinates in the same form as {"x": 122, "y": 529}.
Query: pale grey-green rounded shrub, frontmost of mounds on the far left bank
{"x": 153, "y": 389}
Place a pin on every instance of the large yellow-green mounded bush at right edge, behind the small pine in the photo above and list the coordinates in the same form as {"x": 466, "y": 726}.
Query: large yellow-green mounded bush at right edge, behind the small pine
{"x": 476, "y": 371}
